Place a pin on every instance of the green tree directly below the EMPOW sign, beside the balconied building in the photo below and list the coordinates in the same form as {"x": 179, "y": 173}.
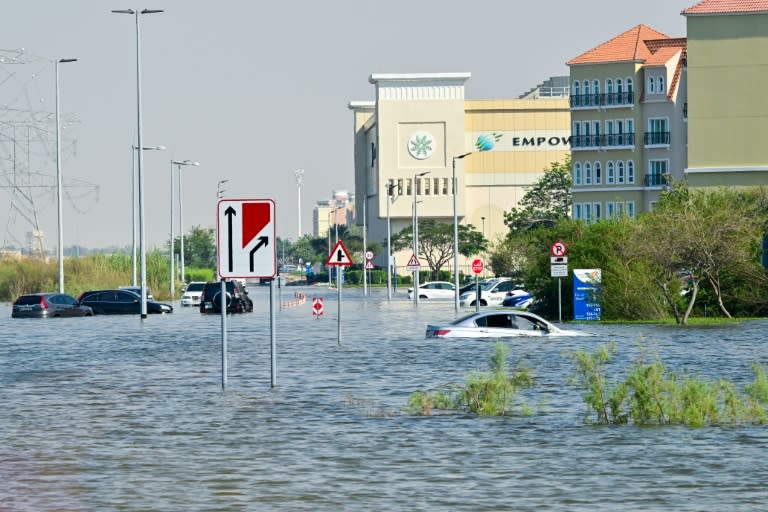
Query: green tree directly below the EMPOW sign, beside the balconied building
{"x": 548, "y": 201}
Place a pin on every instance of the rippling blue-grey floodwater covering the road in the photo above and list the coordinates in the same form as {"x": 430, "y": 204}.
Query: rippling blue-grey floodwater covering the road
{"x": 116, "y": 413}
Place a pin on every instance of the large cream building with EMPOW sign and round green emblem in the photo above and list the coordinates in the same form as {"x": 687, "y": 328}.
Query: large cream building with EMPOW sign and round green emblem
{"x": 413, "y": 134}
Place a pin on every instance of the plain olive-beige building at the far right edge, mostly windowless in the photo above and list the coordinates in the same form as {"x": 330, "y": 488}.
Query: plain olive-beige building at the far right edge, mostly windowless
{"x": 727, "y": 108}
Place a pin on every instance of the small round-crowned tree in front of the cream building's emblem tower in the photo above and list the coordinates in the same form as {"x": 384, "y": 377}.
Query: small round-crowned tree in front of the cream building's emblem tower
{"x": 436, "y": 242}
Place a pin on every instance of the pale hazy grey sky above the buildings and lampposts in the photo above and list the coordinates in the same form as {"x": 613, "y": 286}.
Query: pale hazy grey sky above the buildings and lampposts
{"x": 254, "y": 90}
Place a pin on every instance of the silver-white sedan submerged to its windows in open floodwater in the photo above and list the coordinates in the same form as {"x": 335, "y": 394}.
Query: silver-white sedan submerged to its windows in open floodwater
{"x": 499, "y": 324}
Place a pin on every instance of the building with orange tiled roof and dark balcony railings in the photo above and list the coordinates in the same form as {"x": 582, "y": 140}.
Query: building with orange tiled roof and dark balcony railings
{"x": 628, "y": 122}
